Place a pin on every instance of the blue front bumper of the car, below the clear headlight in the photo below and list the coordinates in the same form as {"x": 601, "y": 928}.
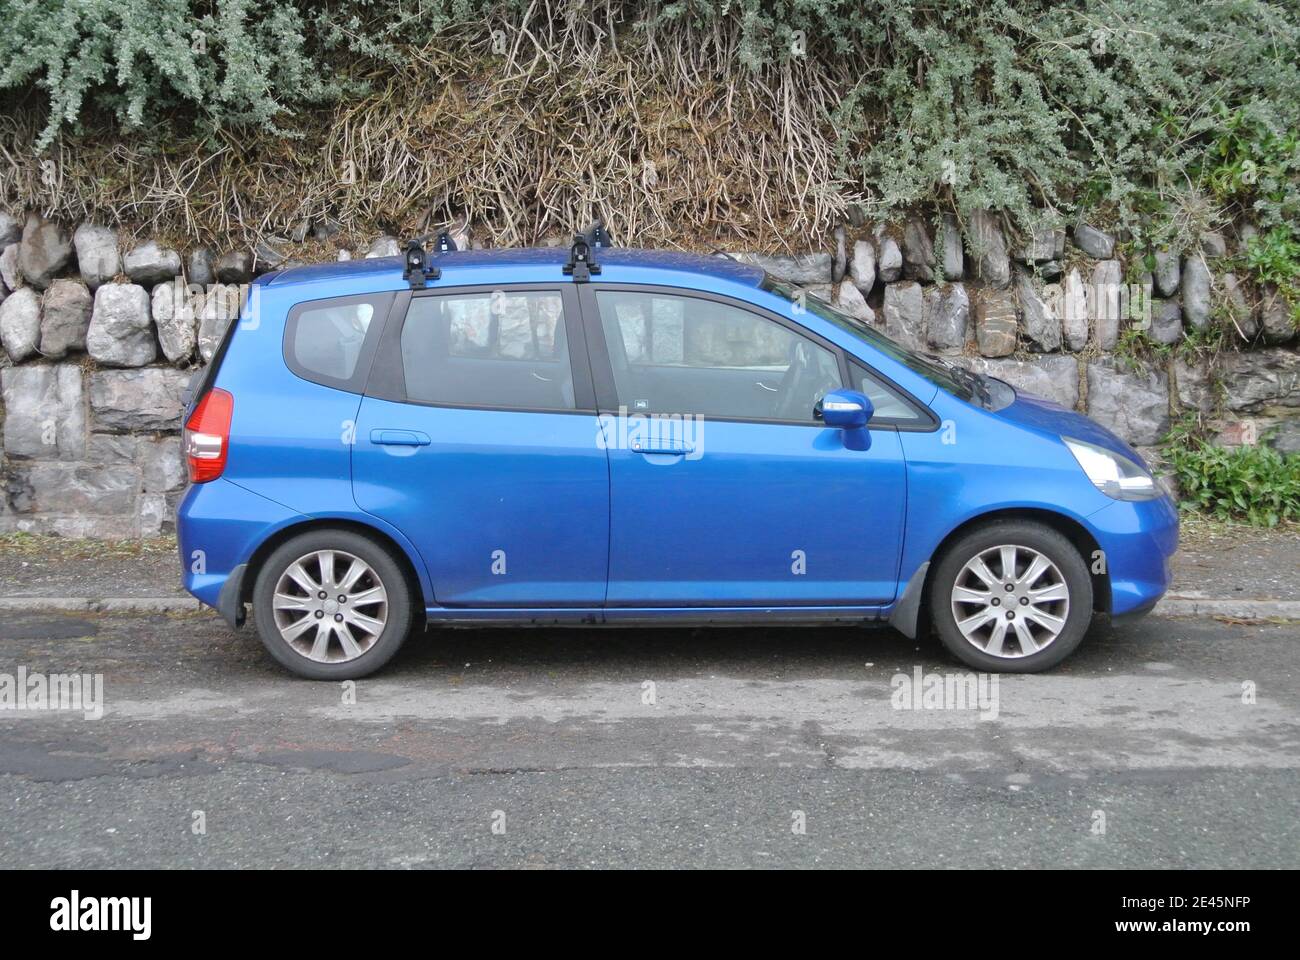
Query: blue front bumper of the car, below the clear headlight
{"x": 1138, "y": 542}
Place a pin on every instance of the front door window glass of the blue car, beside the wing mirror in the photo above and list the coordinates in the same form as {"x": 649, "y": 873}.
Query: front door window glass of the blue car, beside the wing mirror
{"x": 675, "y": 354}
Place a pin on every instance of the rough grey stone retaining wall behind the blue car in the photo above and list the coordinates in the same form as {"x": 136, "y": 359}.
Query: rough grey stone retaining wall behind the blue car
{"x": 98, "y": 344}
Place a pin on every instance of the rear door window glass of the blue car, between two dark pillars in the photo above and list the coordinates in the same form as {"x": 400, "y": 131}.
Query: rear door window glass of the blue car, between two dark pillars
{"x": 491, "y": 349}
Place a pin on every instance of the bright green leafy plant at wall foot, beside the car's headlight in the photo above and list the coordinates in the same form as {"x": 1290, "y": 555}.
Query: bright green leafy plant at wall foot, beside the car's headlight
{"x": 1256, "y": 485}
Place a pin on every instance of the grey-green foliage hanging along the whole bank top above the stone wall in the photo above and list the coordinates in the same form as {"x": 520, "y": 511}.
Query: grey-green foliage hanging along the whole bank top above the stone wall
{"x": 1156, "y": 116}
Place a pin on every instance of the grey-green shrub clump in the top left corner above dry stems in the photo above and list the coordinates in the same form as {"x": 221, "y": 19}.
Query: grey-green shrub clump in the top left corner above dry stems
{"x": 226, "y": 63}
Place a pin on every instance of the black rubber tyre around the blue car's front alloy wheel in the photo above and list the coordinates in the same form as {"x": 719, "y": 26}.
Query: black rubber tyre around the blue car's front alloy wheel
{"x": 1037, "y": 537}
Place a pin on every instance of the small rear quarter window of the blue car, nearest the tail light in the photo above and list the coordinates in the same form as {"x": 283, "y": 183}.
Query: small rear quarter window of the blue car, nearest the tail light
{"x": 331, "y": 341}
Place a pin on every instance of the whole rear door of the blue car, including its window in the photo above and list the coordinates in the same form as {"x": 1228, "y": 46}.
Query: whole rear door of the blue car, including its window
{"x": 479, "y": 440}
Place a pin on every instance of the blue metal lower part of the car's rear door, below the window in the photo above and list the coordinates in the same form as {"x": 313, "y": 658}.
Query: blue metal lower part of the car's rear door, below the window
{"x": 506, "y": 509}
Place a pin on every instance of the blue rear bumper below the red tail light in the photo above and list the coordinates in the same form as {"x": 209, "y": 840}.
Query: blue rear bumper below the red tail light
{"x": 219, "y": 526}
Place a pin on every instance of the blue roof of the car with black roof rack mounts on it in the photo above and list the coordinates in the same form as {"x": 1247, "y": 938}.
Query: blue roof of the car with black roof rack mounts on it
{"x": 483, "y": 266}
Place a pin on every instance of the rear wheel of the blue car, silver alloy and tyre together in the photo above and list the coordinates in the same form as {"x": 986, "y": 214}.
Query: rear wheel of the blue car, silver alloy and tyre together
{"x": 332, "y": 606}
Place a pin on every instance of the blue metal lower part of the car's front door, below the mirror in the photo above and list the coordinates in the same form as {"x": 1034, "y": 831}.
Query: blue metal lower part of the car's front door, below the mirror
{"x": 734, "y": 526}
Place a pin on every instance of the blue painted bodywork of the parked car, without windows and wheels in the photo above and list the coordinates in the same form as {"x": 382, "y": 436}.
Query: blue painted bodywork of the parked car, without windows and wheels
{"x": 599, "y": 533}
